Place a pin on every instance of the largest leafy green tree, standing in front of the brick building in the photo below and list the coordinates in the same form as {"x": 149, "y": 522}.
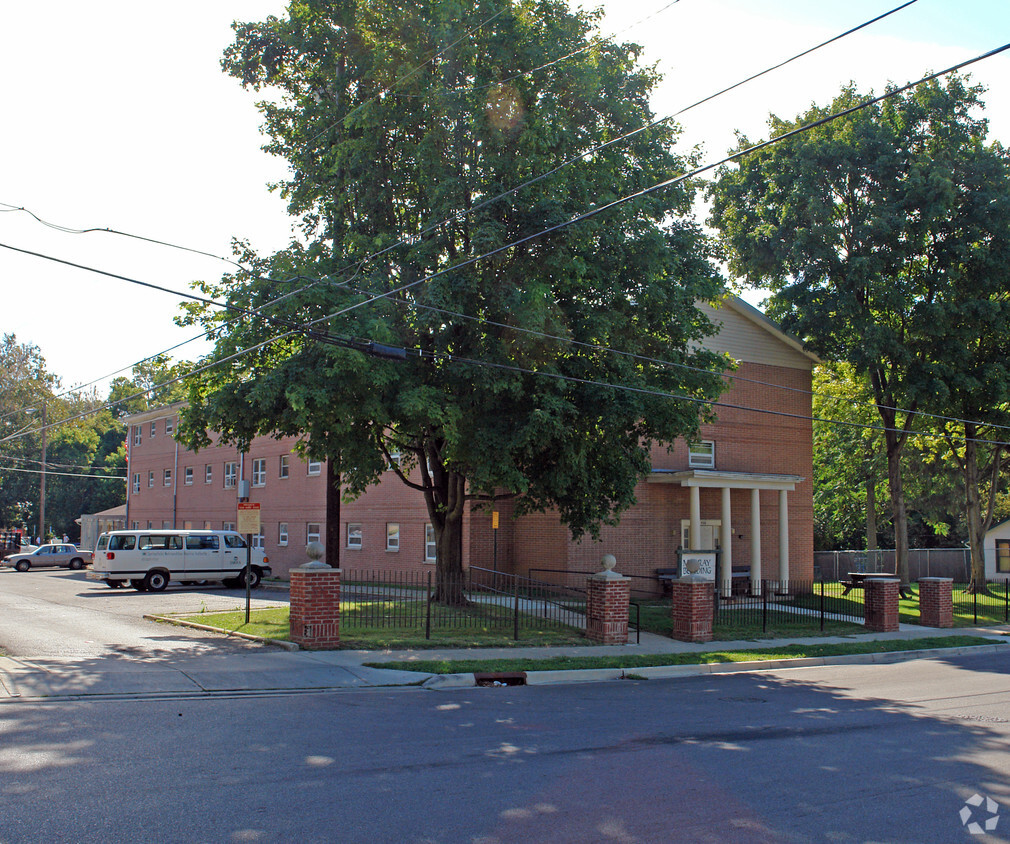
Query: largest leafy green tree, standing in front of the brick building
{"x": 400, "y": 123}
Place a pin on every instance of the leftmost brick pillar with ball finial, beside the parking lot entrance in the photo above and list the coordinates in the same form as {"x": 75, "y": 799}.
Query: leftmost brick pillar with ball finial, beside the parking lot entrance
{"x": 316, "y": 603}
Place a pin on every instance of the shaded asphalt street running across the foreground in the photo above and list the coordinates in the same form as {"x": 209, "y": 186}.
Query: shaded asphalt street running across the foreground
{"x": 853, "y": 754}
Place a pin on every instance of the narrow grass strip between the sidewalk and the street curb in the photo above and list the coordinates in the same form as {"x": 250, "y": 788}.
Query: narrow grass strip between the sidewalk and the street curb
{"x": 453, "y": 667}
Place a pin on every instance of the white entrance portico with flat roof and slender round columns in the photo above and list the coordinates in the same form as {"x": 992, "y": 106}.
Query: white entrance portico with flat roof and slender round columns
{"x": 727, "y": 482}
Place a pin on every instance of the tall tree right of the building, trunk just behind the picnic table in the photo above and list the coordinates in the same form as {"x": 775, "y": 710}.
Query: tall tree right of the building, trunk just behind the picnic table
{"x": 862, "y": 229}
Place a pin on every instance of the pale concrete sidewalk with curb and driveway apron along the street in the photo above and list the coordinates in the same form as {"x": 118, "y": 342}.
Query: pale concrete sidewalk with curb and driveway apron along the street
{"x": 274, "y": 671}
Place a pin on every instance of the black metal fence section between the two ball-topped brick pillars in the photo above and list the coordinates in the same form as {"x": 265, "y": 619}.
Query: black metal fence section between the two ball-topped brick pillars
{"x": 480, "y": 600}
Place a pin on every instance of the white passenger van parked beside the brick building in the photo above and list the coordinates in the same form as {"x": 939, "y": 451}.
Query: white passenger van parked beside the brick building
{"x": 150, "y": 560}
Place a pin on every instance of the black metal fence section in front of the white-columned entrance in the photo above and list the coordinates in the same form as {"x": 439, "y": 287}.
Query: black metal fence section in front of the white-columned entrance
{"x": 787, "y": 604}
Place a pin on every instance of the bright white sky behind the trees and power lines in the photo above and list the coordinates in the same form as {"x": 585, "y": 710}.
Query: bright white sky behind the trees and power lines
{"x": 117, "y": 115}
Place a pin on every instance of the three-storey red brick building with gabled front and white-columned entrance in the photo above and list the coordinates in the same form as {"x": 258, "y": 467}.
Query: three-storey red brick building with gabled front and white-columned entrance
{"x": 747, "y": 488}
